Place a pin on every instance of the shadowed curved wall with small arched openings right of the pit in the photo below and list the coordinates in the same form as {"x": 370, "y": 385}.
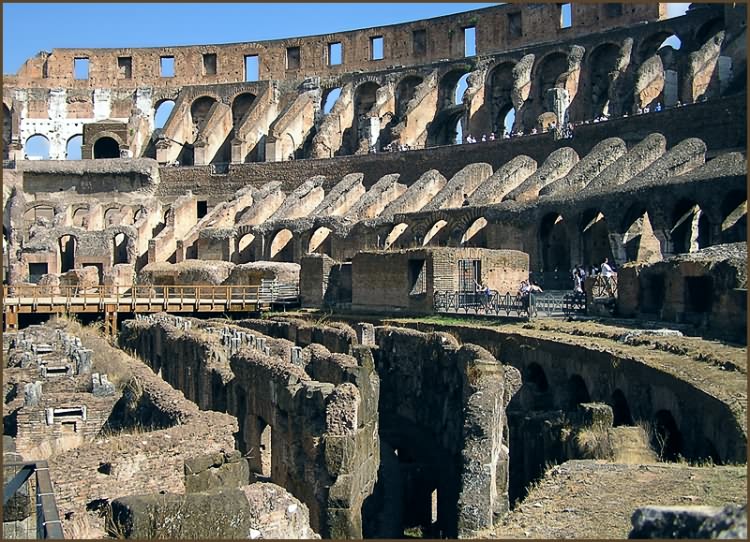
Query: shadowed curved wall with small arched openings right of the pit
{"x": 709, "y": 421}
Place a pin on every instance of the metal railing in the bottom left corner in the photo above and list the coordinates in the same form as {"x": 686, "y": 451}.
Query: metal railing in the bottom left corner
{"x": 22, "y": 482}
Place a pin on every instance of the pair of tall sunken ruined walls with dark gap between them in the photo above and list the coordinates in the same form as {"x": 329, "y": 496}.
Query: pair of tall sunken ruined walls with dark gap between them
{"x": 312, "y": 421}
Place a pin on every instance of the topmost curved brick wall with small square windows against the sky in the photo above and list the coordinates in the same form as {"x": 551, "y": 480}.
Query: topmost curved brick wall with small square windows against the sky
{"x": 443, "y": 39}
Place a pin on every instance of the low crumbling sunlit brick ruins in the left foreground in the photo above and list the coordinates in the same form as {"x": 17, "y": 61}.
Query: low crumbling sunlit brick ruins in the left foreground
{"x": 130, "y": 441}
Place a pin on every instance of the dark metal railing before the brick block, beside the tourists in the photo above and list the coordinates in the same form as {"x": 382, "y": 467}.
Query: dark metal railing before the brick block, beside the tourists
{"x": 518, "y": 305}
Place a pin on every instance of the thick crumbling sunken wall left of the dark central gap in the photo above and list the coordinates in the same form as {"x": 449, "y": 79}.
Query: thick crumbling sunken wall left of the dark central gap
{"x": 322, "y": 444}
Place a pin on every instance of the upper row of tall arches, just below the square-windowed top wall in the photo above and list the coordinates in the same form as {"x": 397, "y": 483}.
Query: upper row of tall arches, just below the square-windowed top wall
{"x": 447, "y": 127}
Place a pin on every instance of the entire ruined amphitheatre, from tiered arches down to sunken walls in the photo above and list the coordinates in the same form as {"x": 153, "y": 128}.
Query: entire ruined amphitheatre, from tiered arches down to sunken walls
{"x": 346, "y": 178}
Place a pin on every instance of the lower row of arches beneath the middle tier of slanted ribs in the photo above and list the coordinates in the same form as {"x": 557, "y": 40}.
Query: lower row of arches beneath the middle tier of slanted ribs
{"x": 690, "y": 228}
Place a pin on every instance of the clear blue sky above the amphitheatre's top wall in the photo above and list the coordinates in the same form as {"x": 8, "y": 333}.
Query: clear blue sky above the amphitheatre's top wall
{"x": 30, "y": 28}
